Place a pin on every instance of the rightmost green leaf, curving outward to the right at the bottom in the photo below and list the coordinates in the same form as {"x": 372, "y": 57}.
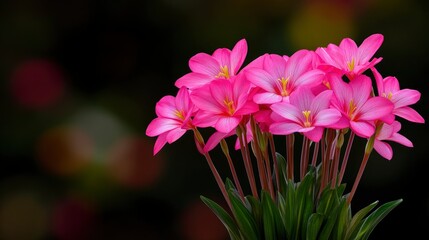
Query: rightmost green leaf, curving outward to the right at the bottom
{"x": 375, "y": 217}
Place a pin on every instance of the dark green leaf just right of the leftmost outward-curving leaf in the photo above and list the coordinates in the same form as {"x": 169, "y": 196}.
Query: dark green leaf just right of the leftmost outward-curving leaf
{"x": 244, "y": 218}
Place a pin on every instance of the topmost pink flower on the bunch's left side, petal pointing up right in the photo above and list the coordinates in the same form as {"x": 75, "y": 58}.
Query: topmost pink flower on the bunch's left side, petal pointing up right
{"x": 223, "y": 64}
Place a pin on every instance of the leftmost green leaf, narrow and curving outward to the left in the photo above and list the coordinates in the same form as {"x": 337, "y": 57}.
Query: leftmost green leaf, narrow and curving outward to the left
{"x": 224, "y": 217}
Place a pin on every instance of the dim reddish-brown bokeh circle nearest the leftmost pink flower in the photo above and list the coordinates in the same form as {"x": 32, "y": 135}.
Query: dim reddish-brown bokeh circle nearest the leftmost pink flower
{"x": 132, "y": 165}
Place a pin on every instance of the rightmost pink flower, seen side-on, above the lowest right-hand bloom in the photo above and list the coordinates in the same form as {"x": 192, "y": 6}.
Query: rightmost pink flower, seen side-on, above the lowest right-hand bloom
{"x": 401, "y": 98}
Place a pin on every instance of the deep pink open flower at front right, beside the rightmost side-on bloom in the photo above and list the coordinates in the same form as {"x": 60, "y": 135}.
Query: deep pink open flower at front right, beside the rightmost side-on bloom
{"x": 359, "y": 110}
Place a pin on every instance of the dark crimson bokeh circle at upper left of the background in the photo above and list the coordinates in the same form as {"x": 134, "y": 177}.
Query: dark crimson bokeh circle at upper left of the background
{"x": 37, "y": 83}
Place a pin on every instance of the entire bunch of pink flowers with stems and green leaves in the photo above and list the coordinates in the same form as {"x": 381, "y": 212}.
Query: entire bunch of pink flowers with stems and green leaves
{"x": 325, "y": 98}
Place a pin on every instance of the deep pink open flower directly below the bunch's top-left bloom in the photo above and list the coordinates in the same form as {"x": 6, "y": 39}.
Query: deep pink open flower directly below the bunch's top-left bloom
{"x": 223, "y": 104}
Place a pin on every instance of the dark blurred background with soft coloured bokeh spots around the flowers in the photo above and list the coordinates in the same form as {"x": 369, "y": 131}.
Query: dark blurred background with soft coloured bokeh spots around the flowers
{"x": 79, "y": 84}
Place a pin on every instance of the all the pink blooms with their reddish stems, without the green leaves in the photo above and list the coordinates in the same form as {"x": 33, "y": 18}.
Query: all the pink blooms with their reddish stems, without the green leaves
{"x": 321, "y": 95}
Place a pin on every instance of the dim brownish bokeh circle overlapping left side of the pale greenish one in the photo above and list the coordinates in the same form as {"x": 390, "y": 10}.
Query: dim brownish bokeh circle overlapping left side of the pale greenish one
{"x": 64, "y": 150}
